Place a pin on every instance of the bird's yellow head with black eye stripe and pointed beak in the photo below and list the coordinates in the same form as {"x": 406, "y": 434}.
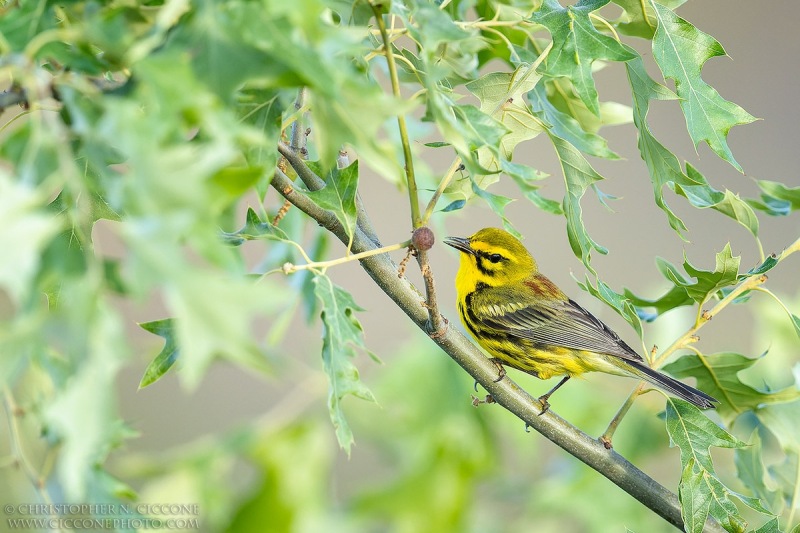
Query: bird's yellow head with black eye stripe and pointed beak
{"x": 494, "y": 257}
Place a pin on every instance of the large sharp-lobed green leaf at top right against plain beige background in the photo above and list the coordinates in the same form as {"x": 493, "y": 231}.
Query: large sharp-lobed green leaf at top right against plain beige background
{"x": 680, "y": 50}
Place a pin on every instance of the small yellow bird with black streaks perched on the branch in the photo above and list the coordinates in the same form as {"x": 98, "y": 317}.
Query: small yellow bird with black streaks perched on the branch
{"x": 526, "y": 322}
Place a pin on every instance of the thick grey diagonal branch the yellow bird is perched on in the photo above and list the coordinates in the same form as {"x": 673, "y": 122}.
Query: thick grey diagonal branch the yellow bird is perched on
{"x": 505, "y": 392}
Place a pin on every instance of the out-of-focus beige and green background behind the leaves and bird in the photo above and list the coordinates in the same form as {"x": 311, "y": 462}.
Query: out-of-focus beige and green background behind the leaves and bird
{"x": 258, "y": 453}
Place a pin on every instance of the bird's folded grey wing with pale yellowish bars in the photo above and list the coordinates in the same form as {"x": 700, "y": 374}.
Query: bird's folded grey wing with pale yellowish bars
{"x": 561, "y": 323}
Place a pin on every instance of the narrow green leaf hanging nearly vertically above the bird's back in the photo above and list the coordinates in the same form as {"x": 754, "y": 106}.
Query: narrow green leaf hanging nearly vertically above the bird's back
{"x": 578, "y": 176}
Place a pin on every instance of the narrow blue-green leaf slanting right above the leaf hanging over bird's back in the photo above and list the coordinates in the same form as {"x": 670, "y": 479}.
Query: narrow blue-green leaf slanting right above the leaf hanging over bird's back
{"x": 566, "y": 127}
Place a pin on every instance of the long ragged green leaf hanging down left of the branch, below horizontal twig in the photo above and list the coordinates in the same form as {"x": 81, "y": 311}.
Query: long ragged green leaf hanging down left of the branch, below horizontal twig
{"x": 341, "y": 335}
